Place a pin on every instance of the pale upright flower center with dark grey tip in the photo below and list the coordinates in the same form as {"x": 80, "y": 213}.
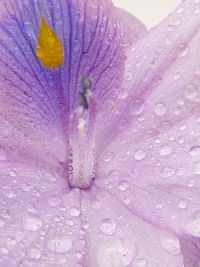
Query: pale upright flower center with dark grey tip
{"x": 81, "y": 143}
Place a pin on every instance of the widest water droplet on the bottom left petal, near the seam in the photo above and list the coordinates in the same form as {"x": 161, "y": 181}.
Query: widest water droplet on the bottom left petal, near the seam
{"x": 59, "y": 243}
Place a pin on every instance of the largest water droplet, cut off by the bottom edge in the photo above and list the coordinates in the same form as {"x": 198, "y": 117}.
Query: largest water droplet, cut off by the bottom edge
{"x": 115, "y": 252}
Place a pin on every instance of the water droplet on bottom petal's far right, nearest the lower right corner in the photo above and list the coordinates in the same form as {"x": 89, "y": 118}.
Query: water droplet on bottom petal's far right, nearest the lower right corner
{"x": 171, "y": 245}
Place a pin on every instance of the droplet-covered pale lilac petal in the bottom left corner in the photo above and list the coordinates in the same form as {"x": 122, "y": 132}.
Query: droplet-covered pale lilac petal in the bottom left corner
{"x": 39, "y": 220}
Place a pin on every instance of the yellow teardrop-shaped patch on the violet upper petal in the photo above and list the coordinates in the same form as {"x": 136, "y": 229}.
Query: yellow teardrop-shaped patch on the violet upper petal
{"x": 49, "y": 46}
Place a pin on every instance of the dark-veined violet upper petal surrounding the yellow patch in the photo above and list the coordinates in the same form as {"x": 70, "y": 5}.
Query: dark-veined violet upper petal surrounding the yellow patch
{"x": 35, "y": 100}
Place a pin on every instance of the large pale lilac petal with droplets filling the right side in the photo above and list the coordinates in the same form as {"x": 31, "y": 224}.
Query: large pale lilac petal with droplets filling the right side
{"x": 152, "y": 163}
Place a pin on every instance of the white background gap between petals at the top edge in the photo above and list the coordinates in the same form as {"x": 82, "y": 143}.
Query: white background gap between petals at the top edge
{"x": 150, "y": 12}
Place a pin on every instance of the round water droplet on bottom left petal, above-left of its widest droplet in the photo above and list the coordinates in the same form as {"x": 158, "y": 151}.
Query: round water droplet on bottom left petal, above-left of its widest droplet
{"x": 32, "y": 222}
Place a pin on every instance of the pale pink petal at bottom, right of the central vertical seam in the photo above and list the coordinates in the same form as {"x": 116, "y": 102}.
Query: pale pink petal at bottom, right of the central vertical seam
{"x": 117, "y": 238}
